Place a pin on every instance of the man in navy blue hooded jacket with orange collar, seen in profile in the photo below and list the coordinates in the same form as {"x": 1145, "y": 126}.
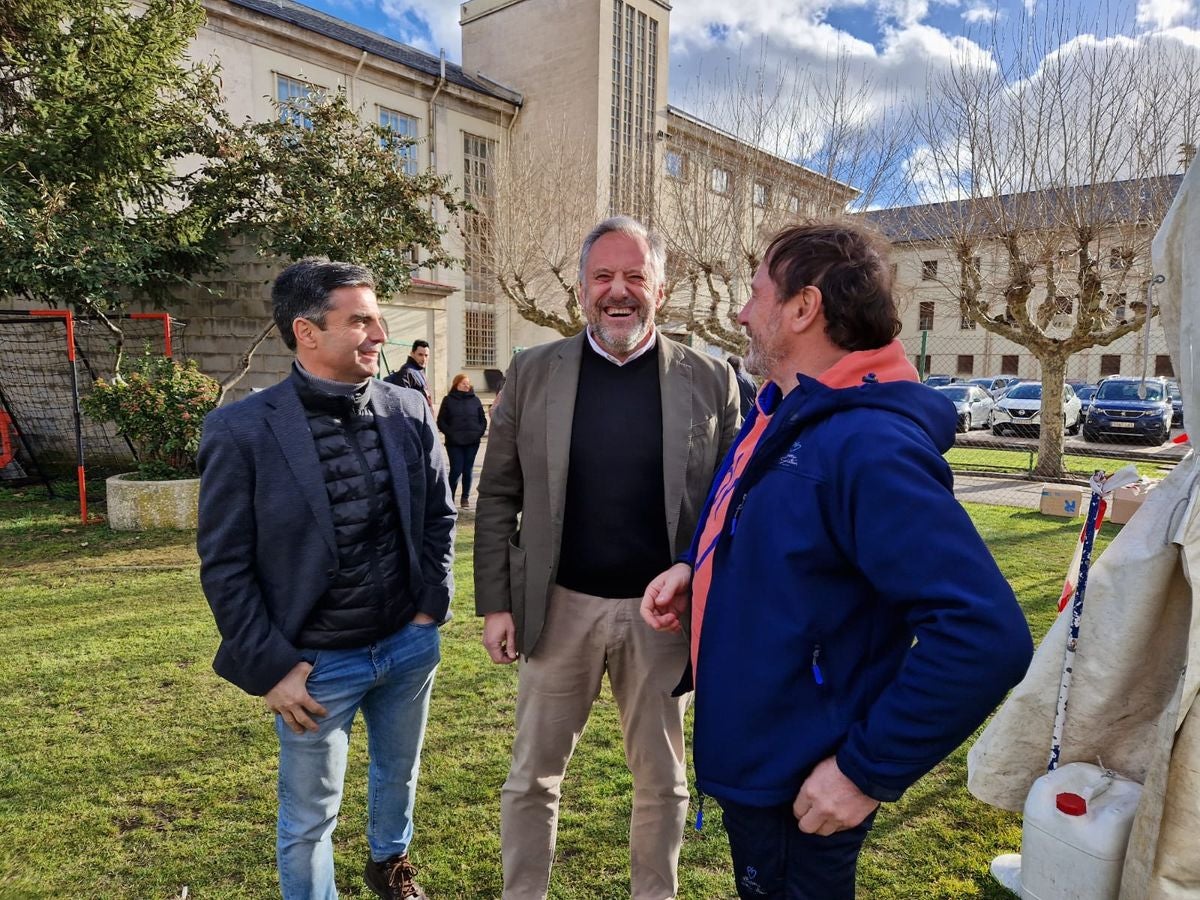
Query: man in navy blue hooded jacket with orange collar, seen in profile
{"x": 849, "y": 627}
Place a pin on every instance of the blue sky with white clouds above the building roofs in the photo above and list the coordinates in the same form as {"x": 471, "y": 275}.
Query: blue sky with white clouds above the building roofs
{"x": 890, "y": 53}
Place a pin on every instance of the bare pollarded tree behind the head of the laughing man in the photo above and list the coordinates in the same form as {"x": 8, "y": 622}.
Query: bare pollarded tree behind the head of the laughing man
{"x": 771, "y": 148}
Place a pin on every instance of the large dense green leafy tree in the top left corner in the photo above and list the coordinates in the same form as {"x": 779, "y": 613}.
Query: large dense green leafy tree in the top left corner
{"x": 103, "y": 119}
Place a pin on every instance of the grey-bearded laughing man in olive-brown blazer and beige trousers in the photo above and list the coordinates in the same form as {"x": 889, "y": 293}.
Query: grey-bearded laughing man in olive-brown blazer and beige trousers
{"x": 598, "y": 465}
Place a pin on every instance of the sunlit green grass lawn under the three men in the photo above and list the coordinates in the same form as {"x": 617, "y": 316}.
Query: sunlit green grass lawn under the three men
{"x": 129, "y": 770}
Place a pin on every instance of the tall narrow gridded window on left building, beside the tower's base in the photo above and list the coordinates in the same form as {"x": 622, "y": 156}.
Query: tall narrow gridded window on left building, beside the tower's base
{"x": 479, "y": 158}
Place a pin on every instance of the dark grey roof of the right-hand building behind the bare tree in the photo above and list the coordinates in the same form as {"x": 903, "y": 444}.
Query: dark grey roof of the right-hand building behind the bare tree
{"x": 1144, "y": 200}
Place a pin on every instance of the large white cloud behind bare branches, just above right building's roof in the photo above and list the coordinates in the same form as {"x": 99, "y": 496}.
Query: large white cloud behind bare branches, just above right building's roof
{"x": 1117, "y": 111}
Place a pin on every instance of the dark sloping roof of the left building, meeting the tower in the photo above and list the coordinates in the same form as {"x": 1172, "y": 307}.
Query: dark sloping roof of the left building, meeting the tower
{"x": 377, "y": 45}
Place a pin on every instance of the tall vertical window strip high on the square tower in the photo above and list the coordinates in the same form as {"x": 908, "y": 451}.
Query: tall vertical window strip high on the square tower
{"x": 635, "y": 73}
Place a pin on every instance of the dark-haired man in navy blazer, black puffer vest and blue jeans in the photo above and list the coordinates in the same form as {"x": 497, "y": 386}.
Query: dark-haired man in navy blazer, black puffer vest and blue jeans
{"x": 326, "y": 542}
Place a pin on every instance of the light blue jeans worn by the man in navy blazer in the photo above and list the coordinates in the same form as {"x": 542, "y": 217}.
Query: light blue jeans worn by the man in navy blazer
{"x": 391, "y": 681}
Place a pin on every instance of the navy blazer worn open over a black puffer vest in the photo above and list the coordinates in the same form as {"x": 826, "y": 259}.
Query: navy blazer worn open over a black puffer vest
{"x": 266, "y": 532}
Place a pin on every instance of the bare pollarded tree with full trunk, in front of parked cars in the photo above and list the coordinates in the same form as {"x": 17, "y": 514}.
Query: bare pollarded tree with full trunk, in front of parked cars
{"x": 1047, "y": 167}
